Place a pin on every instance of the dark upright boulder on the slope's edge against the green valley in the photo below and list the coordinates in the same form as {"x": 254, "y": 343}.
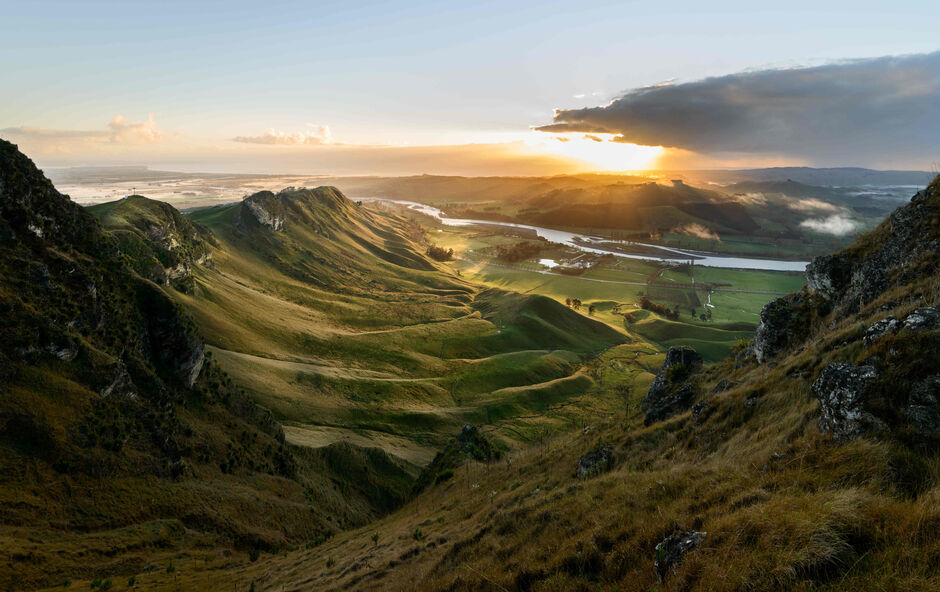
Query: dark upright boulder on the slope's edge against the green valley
{"x": 670, "y": 392}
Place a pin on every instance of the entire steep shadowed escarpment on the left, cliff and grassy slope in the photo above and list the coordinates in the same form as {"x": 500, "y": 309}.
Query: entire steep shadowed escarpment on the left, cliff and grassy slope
{"x": 114, "y": 421}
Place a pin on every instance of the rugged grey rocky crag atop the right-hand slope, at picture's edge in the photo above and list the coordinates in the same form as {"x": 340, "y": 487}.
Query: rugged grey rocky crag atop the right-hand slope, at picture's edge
{"x": 886, "y": 376}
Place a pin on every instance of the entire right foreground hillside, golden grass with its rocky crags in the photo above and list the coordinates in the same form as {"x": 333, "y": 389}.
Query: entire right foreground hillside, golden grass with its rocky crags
{"x": 809, "y": 461}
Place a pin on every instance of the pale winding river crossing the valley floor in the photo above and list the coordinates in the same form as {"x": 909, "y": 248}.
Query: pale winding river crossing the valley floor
{"x": 582, "y": 242}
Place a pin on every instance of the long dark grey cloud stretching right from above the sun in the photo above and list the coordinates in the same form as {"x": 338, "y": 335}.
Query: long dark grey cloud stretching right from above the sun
{"x": 846, "y": 110}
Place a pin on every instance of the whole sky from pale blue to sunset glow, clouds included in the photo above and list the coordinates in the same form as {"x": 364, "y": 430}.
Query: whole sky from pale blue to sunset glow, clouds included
{"x": 471, "y": 87}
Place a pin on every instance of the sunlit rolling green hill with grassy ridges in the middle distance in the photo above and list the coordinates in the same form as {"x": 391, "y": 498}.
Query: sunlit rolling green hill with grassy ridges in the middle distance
{"x": 331, "y": 316}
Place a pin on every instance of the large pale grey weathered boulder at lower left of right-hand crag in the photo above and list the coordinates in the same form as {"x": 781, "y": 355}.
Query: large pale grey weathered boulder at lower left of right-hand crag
{"x": 842, "y": 390}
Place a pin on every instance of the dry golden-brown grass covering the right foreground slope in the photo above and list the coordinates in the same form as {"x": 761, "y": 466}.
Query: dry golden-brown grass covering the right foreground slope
{"x": 784, "y": 508}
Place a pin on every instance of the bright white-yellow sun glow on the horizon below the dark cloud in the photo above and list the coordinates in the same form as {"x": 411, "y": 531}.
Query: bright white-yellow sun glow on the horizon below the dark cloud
{"x": 599, "y": 151}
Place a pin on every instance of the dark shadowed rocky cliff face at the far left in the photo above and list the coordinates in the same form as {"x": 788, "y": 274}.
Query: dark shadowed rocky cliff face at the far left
{"x": 68, "y": 297}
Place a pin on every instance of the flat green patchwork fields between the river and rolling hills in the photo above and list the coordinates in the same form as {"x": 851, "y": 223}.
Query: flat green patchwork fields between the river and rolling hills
{"x": 615, "y": 286}
